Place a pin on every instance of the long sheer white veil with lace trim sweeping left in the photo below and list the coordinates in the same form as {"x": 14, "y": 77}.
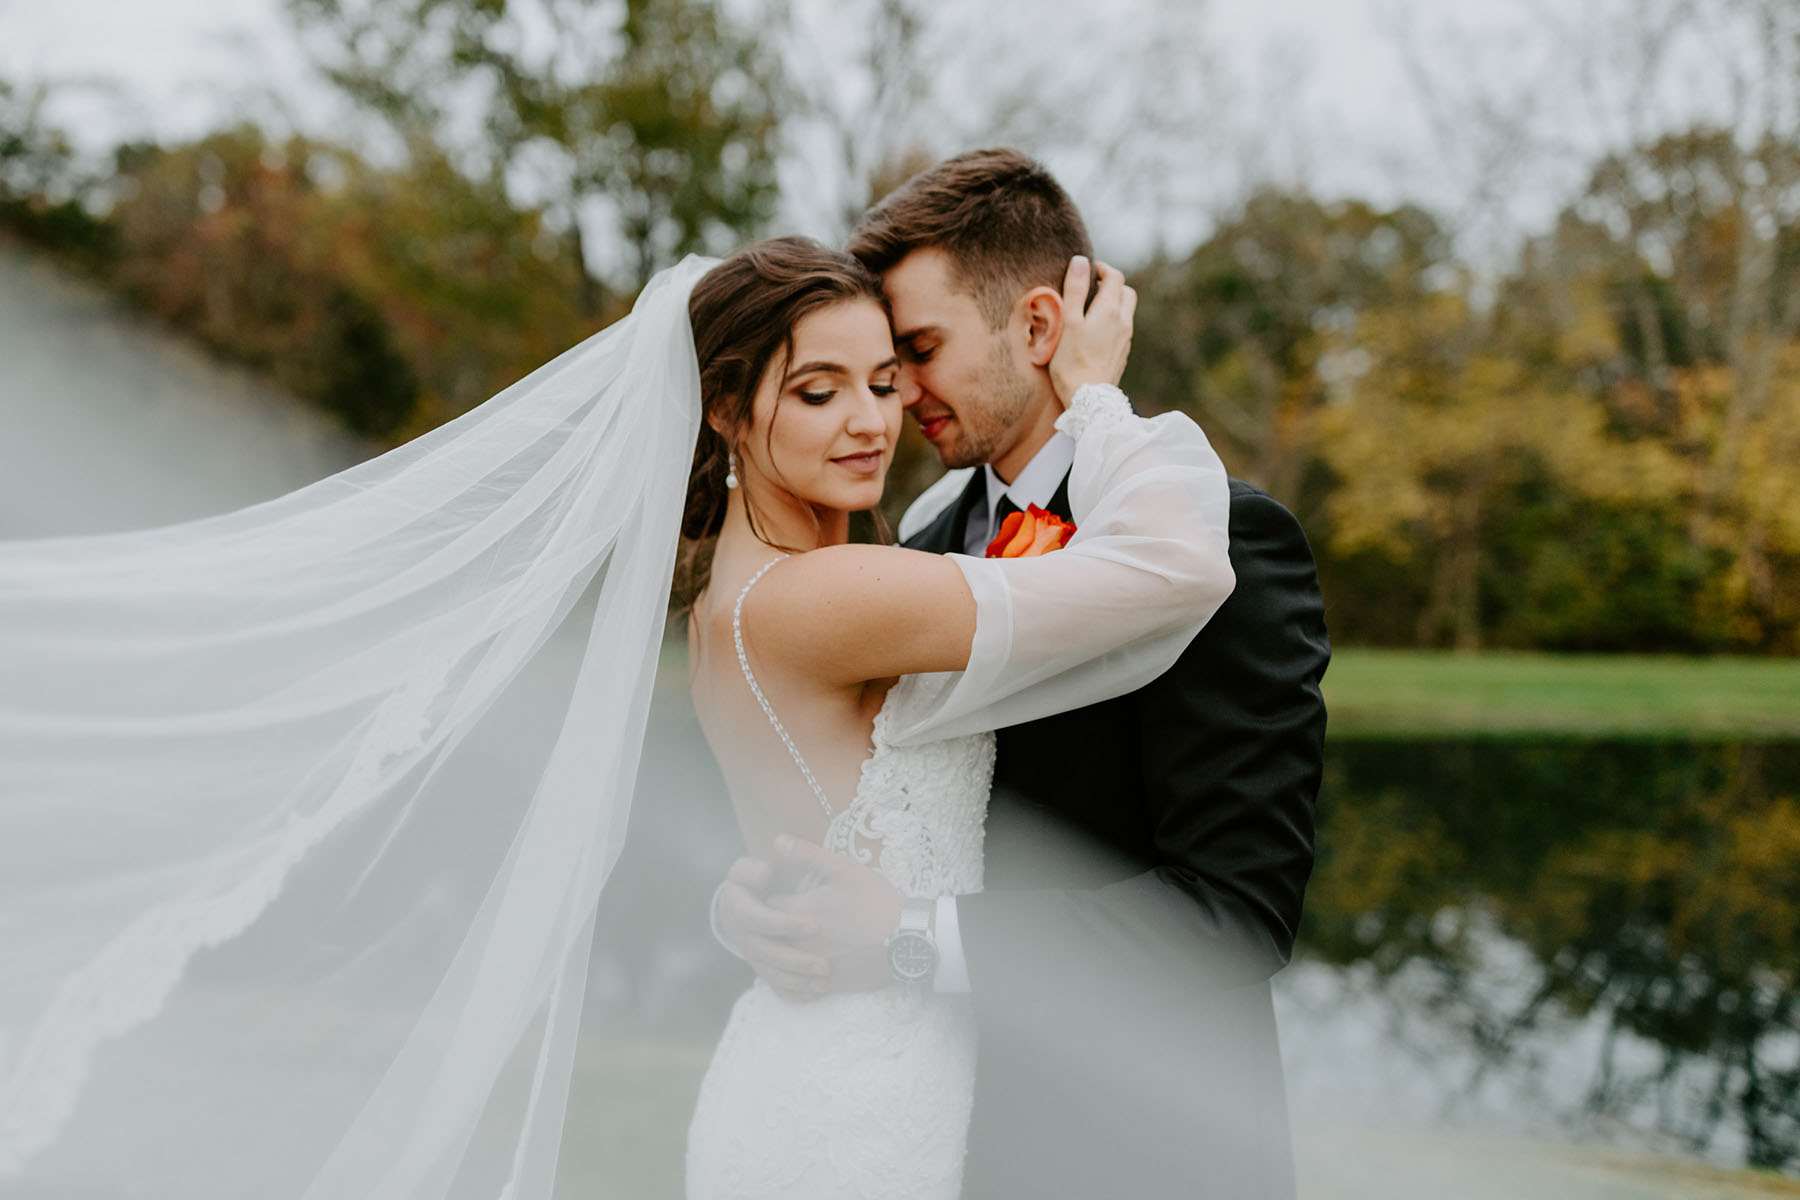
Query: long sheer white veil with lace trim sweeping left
{"x": 289, "y": 906}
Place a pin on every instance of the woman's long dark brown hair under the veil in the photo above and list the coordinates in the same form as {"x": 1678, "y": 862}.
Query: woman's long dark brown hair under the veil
{"x": 744, "y": 314}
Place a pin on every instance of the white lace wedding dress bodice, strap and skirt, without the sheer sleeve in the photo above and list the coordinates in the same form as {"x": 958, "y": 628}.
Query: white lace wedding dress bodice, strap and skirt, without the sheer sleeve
{"x": 861, "y": 1093}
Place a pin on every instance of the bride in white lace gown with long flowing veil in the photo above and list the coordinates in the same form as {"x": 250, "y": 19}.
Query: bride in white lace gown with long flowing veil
{"x": 274, "y": 926}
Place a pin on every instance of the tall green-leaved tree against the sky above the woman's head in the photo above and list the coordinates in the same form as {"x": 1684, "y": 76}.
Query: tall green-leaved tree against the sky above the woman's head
{"x": 649, "y": 120}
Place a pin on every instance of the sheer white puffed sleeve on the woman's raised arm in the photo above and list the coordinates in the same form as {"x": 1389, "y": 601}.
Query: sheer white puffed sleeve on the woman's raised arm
{"x": 1111, "y": 611}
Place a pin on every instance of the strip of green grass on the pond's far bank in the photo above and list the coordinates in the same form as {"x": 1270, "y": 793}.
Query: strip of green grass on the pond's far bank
{"x": 1396, "y": 694}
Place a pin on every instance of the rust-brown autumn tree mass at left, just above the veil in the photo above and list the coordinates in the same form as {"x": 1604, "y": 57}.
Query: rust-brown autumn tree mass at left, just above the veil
{"x": 395, "y": 300}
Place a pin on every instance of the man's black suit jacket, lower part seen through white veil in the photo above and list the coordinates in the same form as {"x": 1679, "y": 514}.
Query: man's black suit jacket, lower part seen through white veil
{"x": 1146, "y": 866}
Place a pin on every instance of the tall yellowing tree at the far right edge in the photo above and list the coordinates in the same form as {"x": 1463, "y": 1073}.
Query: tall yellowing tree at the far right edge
{"x": 1671, "y": 291}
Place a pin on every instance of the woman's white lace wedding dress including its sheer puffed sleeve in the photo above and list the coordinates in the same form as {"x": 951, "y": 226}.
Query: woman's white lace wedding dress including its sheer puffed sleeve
{"x": 868, "y": 1095}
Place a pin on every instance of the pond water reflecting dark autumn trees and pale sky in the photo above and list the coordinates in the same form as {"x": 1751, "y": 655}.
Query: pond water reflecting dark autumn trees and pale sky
{"x": 1626, "y": 908}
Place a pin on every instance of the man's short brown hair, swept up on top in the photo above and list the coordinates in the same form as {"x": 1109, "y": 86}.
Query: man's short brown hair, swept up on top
{"x": 1000, "y": 217}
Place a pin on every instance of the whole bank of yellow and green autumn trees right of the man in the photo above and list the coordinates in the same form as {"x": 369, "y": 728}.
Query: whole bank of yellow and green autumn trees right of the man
{"x": 1592, "y": 452}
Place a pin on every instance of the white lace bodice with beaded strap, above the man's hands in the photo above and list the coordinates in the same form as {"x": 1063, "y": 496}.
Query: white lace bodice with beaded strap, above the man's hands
{"x": 919, "y": 810}
